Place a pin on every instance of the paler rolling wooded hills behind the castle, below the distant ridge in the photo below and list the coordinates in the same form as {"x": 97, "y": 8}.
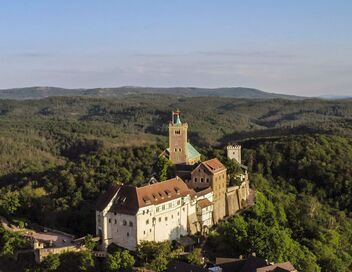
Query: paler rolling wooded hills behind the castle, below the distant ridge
{"x": 38, "y": 132}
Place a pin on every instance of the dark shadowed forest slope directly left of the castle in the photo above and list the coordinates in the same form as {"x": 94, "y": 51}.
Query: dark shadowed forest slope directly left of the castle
{"x": 65, "y": 196}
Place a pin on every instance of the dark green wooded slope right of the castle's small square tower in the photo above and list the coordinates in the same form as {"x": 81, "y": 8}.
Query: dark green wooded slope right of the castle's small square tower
{"x": 318, "y": 165}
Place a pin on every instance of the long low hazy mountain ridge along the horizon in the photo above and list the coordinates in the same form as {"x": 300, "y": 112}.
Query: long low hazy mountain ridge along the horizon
{"x": 233, "y": 92}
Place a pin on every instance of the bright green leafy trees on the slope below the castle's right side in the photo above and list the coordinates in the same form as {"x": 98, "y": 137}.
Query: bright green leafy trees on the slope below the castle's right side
{"x": 262, "y": 230}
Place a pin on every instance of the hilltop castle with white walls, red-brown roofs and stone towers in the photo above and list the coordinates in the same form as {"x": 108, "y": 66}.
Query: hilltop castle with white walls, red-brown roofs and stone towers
{"x": 198, "y": 197}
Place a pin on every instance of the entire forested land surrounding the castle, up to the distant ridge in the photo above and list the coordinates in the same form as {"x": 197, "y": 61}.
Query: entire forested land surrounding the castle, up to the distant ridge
{"x": 58, "y": 154}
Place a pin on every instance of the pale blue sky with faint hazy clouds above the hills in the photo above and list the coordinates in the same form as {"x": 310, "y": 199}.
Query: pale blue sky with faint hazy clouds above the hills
{"x": 294, "y": 47}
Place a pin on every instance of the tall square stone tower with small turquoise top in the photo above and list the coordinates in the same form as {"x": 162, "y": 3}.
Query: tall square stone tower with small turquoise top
{"x": 178, "y": 139}
